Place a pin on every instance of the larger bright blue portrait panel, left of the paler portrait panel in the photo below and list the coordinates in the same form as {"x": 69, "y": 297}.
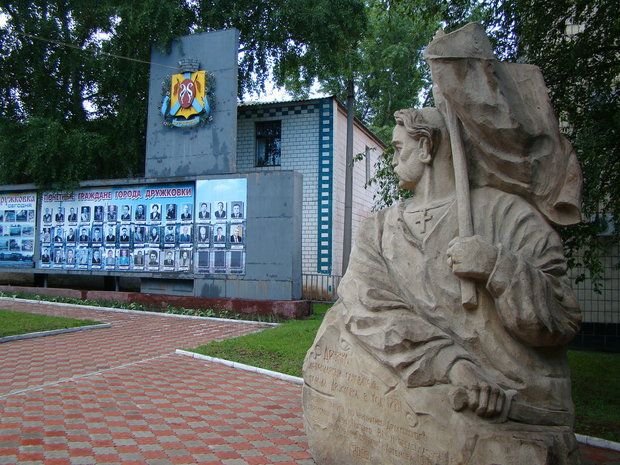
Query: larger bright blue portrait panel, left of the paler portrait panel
{"x": 118, "y": 227}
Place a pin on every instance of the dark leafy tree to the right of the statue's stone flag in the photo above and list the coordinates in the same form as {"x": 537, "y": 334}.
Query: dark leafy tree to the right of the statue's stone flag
{"x": 577, "y": 46}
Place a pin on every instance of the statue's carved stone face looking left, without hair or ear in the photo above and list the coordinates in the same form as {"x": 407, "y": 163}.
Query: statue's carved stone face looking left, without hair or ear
{"x": 407, "y": 158}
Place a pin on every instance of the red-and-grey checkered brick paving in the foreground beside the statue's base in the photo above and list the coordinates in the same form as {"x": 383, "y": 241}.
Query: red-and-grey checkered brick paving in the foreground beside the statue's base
{"x": 169, "y": 410}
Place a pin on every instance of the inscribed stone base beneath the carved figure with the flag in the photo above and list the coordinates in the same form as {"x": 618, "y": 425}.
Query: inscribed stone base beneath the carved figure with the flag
{"x": 357, "y": 411}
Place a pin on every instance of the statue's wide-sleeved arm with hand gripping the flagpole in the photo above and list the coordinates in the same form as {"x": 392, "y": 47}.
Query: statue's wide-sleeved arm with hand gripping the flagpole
{"x": 521, "y": 261}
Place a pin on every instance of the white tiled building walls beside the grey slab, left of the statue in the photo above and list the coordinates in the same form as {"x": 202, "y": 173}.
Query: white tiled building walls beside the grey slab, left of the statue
{"x": 300, "y": 152}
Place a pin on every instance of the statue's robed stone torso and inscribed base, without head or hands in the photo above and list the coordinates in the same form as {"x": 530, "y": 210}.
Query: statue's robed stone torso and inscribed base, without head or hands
{"x": 377, "y": 377}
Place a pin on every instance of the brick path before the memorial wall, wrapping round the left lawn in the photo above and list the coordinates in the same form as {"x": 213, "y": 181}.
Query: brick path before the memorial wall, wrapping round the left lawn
{"x": 132, "y": 337}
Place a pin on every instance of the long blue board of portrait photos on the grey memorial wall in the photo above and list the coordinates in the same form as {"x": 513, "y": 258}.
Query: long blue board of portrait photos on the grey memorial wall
{"x": 186, "y": 227}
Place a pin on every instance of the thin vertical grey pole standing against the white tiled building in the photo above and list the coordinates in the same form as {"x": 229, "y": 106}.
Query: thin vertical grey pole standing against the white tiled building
{"x": 348, "y": 183}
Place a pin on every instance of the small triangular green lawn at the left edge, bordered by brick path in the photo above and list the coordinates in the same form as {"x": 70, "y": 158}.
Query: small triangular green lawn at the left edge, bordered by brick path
{"x": 12, "y": 323}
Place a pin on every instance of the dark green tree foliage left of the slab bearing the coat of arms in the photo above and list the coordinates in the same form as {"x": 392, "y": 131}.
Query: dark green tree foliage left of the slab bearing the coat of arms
{"x": 67, "y": 114}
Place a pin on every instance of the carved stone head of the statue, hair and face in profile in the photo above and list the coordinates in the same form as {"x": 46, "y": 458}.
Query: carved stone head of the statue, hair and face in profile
{"x": 417, "y": 138}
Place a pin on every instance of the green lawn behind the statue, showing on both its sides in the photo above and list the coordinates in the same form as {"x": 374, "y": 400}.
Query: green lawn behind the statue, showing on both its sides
{"x": 595, "y": 375}
